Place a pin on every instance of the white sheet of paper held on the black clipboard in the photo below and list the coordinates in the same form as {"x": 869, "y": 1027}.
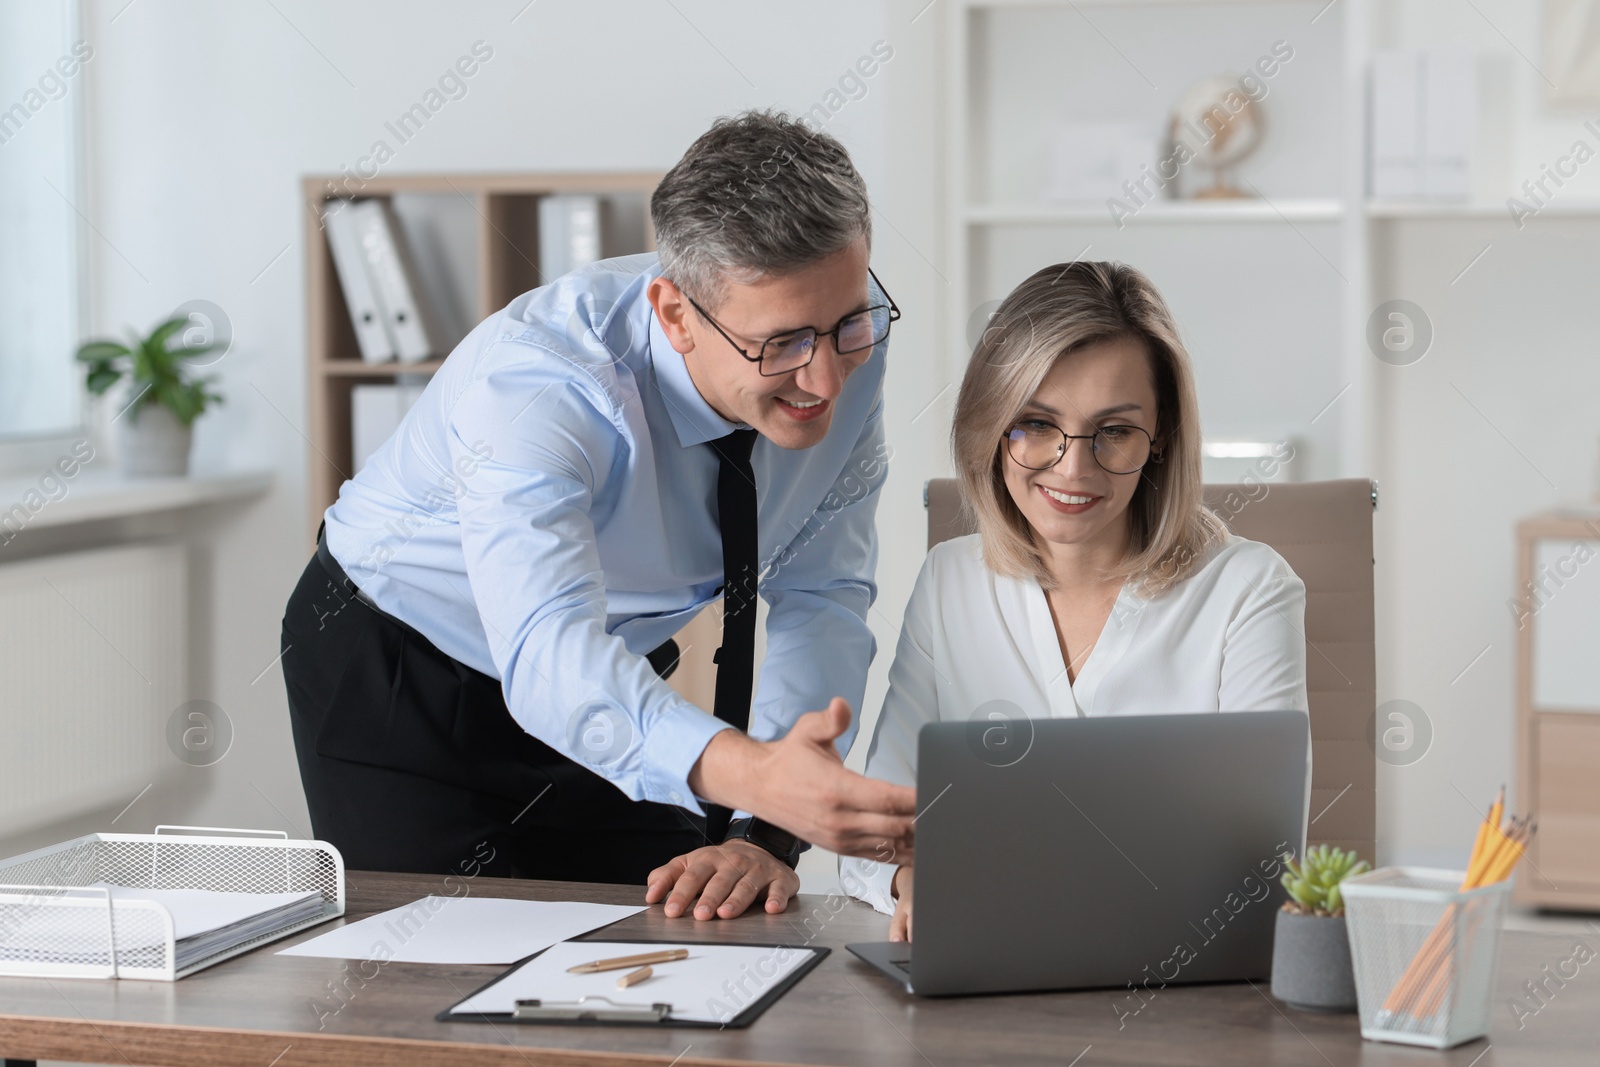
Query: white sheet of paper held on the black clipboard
{"x": 714, "y": 985}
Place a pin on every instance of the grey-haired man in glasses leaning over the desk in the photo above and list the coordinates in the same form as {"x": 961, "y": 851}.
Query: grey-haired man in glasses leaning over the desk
{"x": 476, "y": 655}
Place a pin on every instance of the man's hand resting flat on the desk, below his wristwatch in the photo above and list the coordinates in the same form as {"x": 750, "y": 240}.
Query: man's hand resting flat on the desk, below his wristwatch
{"x": 726, "y": 877}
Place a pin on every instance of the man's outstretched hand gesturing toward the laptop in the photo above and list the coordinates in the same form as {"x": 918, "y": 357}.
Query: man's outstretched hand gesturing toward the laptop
{"x": 801, "y": 785}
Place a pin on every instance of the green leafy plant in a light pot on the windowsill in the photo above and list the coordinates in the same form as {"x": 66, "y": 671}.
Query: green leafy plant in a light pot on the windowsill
{"x": 166, "y": 399}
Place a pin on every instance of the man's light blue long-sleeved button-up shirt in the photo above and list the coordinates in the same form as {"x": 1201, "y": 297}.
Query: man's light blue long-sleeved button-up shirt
{"x": 548, "y": 514}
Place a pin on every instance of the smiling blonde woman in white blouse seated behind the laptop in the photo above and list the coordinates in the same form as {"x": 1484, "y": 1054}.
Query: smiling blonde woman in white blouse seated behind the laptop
{"x": 1097, "y": 583}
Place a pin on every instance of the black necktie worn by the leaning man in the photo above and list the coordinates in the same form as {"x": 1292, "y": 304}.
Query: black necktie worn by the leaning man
{"x": 740, "y": 567}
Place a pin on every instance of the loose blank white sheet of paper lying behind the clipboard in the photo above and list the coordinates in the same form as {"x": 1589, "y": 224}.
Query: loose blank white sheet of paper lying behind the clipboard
{"x": 462, "y": 930}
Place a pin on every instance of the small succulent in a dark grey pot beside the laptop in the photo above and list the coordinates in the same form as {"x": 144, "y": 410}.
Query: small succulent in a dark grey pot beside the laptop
{"x": 1311, "y": 951}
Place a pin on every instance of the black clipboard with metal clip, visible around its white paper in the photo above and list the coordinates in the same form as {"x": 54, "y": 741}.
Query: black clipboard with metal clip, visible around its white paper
{"x": 606, "y": 1010}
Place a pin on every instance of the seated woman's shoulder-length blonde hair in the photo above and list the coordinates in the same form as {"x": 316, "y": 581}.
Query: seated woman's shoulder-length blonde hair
{"x": 1050, "y": 316}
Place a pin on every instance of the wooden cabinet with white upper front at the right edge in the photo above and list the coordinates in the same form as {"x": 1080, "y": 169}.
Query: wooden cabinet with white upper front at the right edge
{"x": 1556, "y": 610}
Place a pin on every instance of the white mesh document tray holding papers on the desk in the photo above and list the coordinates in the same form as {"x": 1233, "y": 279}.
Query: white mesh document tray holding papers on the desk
{"x": 74, "y": 909}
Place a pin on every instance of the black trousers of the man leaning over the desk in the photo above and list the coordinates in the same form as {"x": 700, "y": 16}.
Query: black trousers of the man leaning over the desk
{"x": 412, "y": 762}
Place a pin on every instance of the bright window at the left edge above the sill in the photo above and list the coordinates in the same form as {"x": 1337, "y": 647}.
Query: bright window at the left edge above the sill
{"x": 41, "y": 94}
